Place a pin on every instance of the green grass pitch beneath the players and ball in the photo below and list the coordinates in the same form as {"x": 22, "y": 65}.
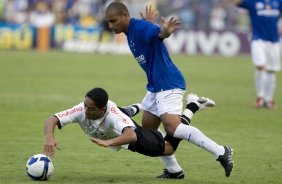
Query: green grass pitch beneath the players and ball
{"x": 35, "y": 85}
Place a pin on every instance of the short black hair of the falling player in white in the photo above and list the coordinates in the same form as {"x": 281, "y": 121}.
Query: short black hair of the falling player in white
{"x": 99, "y": 96}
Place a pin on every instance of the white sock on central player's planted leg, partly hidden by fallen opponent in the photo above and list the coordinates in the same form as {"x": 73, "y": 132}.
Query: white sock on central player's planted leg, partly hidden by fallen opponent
{"x": 170, "y": 161}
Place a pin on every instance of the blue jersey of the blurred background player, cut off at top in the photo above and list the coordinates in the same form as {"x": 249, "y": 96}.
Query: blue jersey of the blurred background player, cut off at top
{"x": 264, "y": 15}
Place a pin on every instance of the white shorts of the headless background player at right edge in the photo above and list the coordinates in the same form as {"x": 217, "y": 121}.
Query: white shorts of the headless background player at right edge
{"x": 267, "y": 54}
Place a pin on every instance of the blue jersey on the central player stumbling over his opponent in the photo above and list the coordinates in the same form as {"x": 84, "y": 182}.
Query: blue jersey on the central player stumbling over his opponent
{"x": 152, "y": 55}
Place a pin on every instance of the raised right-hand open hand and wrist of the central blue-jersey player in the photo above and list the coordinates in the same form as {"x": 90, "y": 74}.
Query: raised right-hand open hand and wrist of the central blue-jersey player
{"x": 168, "y": 27}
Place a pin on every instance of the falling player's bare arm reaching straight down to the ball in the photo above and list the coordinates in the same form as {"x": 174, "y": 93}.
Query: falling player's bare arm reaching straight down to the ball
{"x": 50, "y": 143}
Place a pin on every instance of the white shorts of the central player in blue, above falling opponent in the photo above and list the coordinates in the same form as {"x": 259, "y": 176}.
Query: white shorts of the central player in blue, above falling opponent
{"x": 169, "y": 101}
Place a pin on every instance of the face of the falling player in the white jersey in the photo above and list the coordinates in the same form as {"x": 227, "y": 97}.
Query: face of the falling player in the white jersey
{"x": 92, "y": 111}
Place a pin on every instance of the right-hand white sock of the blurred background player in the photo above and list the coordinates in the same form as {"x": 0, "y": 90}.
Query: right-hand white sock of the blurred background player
{"x": 270, "y": 85}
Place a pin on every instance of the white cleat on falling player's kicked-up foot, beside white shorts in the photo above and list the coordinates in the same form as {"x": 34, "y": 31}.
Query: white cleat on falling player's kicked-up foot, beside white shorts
{"x": 202, "y": 102}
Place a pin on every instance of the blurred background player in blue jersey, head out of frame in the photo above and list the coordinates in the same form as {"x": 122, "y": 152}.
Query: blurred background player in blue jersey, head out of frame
{"x": 265, "y": 46}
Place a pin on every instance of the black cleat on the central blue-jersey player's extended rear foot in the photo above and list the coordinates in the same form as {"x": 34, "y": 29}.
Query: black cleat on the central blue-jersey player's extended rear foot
{"x": 226, "y": 160}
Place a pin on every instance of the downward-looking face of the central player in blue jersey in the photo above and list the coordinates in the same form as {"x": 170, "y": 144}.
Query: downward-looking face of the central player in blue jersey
{"x": 117, "y": 22}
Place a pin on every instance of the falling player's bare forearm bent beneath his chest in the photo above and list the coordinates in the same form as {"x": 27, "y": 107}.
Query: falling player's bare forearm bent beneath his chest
{"x": 128, "y": 136}
